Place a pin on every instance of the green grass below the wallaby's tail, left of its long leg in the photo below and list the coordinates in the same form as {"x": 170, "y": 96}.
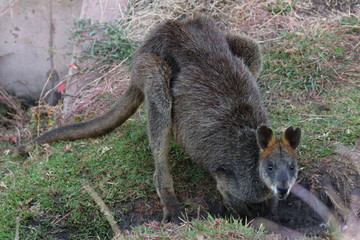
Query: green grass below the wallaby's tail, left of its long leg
{"x": 117, "y": 168}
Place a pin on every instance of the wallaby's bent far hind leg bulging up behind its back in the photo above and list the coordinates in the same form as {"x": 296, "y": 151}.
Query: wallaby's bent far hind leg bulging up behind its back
{"x": 247, "y": 49}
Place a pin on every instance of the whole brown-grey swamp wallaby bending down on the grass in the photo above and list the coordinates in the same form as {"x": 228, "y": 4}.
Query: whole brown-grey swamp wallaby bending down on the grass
{"x": 200, "y": 86}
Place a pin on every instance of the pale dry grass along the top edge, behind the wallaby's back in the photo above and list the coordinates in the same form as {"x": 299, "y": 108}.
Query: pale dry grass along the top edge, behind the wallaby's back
{"x": 251, "y": 17}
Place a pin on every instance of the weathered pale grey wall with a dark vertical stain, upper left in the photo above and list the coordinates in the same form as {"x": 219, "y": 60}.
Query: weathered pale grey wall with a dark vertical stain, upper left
{"x": 33, "y": 44}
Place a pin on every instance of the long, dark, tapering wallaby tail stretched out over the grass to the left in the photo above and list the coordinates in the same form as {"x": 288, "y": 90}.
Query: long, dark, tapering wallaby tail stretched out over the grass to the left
{"x": 125, "y": 108}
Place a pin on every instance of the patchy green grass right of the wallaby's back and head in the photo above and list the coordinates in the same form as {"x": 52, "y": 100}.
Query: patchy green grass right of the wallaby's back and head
{"x": 303, "y": 88}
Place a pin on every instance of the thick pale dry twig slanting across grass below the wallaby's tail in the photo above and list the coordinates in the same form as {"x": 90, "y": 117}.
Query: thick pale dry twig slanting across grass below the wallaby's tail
{"x": 104, "y": 209}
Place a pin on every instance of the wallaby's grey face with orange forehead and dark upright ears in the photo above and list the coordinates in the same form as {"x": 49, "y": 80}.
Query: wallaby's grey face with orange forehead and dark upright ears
{"x": 278, "y": 167}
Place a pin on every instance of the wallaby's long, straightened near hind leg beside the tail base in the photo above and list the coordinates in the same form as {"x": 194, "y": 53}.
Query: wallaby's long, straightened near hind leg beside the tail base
{"x": 158, "y": 101}
